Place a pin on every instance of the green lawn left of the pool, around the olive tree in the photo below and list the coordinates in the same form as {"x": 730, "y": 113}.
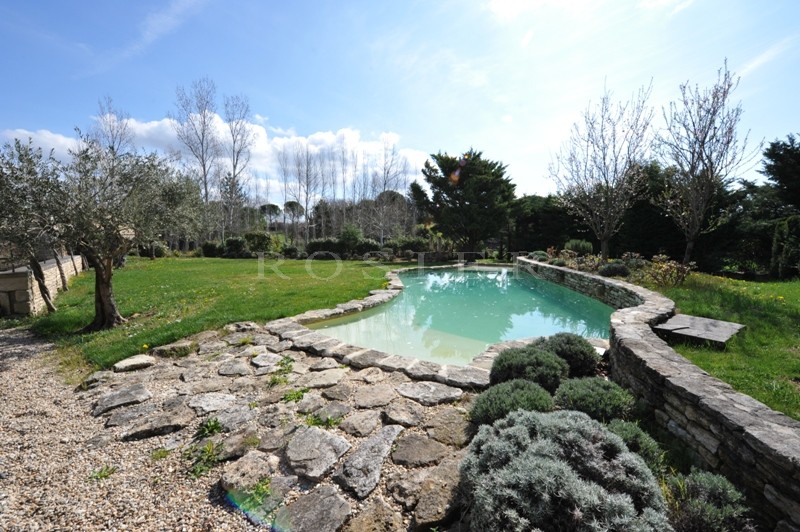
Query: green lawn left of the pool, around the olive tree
{"x": 168, "y": 299}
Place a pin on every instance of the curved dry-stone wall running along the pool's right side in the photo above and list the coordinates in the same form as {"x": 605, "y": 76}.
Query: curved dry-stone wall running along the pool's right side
{"x": 755, "y": 447}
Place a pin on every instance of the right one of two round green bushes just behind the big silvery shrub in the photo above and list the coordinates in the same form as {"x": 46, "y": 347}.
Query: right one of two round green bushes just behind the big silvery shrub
{"x": 601, "y": 399}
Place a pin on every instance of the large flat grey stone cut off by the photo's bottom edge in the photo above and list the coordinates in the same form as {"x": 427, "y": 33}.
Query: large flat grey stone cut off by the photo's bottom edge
{"x": 322, "y": 510}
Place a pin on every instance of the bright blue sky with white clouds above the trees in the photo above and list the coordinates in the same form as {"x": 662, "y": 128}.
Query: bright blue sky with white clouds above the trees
{"x": 508, "y": 78}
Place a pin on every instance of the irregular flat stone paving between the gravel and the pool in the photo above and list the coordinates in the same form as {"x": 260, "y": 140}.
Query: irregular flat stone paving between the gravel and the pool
{"x": 350, "y": 446}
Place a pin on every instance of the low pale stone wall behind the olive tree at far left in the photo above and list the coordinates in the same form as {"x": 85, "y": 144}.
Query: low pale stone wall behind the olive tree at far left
{"x": 19, "y": 293}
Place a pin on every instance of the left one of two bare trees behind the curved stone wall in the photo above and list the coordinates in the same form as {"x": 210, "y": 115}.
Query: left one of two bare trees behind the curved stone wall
{"x": 599, "y": 170}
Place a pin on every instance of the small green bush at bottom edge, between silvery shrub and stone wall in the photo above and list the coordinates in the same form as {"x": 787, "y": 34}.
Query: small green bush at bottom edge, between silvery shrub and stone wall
{"x": 705, "y": 502}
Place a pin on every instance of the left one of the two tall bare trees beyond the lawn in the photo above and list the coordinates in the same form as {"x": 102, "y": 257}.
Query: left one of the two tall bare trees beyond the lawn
{"x": 193, "y": 121}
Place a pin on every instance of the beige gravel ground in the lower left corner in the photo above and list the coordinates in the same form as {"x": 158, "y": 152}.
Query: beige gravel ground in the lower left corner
{"x": 50, "y": 446}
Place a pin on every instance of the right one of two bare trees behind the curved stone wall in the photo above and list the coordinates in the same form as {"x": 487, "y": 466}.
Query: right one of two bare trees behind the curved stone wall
{"x": 701, "y": 141}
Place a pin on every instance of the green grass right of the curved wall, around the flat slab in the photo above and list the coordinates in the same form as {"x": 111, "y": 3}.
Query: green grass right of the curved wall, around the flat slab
{"x": 763, "y": 360}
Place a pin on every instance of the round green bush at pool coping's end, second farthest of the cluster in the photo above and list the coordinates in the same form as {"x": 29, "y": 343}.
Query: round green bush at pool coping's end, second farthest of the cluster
{"x": 537, "y": 365}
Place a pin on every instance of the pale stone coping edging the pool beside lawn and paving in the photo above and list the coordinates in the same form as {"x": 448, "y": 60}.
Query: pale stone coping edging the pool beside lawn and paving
{"x": 474, "y": 375}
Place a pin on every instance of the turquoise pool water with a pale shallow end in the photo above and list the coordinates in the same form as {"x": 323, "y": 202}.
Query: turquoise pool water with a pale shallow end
{"x": 449, "y": 316}
